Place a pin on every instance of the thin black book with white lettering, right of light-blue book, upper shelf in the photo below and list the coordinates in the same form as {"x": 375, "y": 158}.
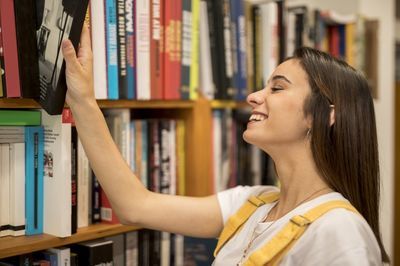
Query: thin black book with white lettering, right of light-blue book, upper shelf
{"x": 121, "y": 48}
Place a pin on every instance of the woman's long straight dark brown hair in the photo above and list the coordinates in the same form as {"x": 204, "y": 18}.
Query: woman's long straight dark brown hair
{"x": 345, "y": 153}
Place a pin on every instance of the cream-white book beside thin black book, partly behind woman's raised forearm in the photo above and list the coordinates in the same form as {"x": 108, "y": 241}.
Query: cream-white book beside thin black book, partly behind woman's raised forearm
{"x": 84, "y": 187}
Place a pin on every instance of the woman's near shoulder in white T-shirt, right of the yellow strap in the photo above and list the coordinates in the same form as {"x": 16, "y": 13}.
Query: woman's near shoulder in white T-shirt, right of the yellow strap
{"x": 339, "y": 234}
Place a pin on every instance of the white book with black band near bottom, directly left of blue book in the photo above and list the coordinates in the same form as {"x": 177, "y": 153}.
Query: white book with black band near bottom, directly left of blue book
{"x": 17, "y": 188}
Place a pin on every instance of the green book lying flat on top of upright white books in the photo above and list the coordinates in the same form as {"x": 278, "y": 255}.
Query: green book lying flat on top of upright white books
{"x": 20, "y": 118}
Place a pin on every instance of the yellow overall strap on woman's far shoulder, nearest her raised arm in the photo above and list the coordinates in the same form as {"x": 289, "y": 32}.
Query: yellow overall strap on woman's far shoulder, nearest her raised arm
{"x": 236, "y": 221}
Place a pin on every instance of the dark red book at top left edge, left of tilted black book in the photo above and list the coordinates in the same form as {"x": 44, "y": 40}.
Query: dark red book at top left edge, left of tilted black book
{"x": 13, "y": 86}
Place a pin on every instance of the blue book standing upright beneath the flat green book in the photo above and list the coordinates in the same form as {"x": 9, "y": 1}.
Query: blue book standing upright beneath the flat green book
{"x": 34, "y": 161}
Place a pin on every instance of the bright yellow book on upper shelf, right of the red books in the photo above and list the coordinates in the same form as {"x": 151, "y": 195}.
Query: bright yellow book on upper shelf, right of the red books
{"x": 194, "y": 67}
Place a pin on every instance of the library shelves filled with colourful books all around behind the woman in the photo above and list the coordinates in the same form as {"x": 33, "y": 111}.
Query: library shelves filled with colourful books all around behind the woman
{"x": 178, "y": 123}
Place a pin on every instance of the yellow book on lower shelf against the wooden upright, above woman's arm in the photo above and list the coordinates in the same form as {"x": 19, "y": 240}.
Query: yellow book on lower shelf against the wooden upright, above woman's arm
{"x": 180, "y": 154}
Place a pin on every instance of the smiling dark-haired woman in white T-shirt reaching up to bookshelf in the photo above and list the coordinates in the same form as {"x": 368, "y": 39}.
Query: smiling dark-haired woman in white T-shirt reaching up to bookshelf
{"x": 315, "y": 118}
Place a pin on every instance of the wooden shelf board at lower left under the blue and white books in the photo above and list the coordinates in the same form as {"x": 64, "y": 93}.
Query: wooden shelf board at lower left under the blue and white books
{"x": 12, "y": 246}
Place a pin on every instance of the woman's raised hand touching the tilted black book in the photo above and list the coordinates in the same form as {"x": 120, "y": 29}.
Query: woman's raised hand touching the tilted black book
{"x": 79, "y": 70}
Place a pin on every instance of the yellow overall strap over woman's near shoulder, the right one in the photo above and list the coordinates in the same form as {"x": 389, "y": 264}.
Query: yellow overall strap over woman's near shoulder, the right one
{"x": 273, "y": 251}
